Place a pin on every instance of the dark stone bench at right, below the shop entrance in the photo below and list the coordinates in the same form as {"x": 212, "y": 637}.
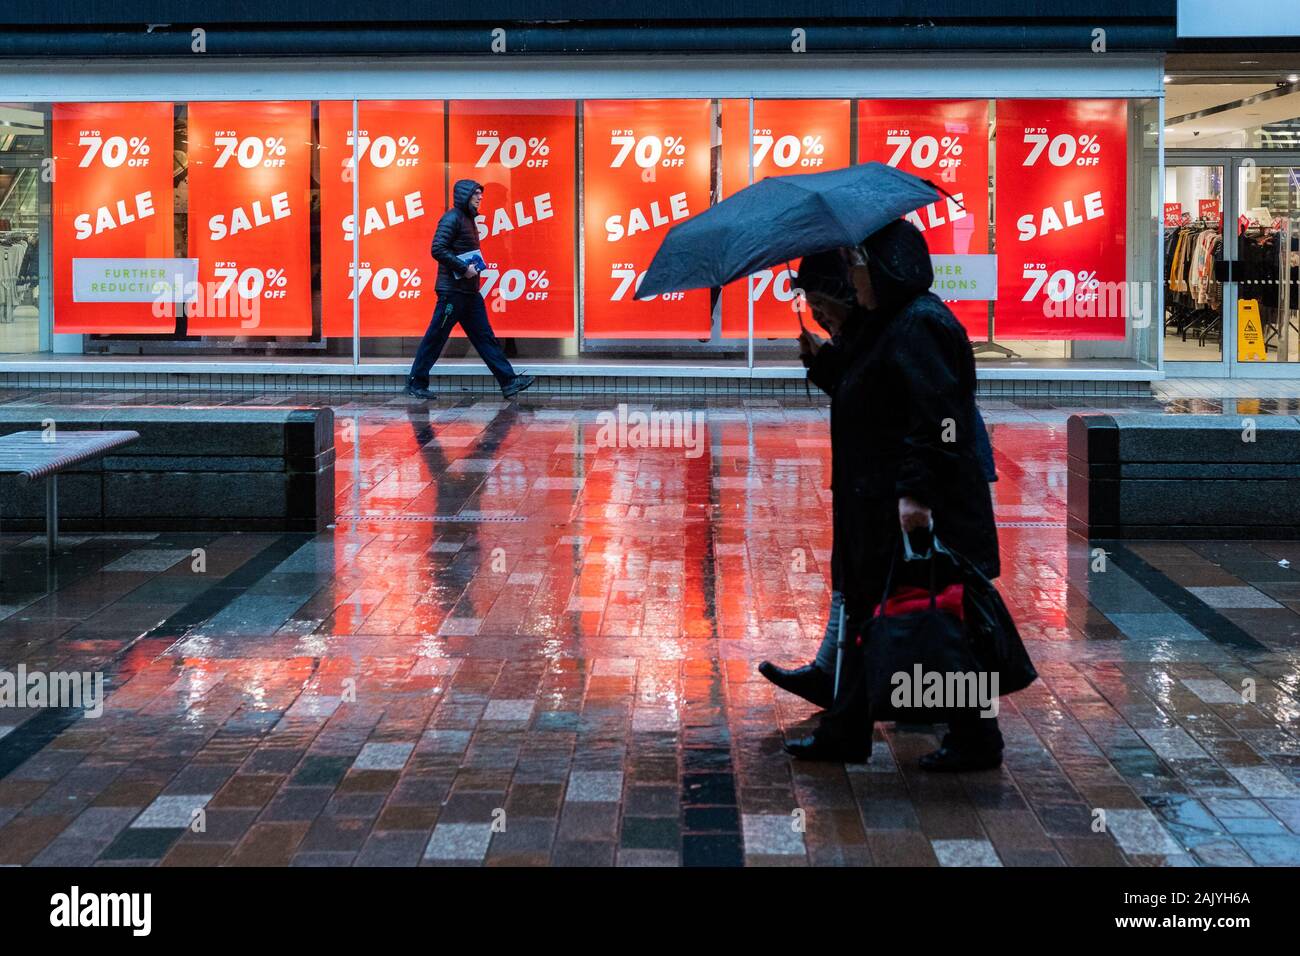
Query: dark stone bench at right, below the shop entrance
{"x": 1185, "y": 477}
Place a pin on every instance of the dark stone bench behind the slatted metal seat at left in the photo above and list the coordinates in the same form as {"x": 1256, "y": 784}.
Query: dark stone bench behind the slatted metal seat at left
{"x": 194, "y": 469}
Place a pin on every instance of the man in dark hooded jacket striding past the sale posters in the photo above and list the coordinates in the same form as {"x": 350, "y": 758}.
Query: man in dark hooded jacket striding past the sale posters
{"x": 460, "y": 300}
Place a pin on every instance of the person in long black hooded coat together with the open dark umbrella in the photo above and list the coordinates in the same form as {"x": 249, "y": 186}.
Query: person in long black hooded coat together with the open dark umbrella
{"x": 903, "y": 371}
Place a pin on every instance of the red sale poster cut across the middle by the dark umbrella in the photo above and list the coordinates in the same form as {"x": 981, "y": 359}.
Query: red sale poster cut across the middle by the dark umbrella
{"x": 790, "y": 137}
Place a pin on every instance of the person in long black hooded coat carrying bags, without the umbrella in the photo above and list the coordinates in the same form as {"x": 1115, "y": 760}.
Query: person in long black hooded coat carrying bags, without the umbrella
{"x": 904, "y": 455}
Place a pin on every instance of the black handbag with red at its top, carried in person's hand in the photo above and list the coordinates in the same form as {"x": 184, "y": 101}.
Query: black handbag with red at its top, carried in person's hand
{"x": 921, "y": 667}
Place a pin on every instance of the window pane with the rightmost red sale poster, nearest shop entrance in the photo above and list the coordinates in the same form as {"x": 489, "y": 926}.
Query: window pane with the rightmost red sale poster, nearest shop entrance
{"x": 1076, "y": 233}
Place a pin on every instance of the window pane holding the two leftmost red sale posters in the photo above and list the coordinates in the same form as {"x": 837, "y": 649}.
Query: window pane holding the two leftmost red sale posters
{"x": 189, "y": 230}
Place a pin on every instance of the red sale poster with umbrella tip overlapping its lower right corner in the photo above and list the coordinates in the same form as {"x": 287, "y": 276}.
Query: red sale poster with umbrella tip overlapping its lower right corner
{"x": 645, "y": 167}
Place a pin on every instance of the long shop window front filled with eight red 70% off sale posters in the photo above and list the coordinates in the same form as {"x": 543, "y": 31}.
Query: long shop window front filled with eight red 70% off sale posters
{"x": 274, "y": 214}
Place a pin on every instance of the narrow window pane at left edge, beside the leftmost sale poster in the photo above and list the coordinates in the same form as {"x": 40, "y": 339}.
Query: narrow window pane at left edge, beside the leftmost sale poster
{"x": 24, "y": 191}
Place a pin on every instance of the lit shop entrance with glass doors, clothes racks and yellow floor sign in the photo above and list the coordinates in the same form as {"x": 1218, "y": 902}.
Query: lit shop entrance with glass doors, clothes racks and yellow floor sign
{"x": 1232, "y": 209}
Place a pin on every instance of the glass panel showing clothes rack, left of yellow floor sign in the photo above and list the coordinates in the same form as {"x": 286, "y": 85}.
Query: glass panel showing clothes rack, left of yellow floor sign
{"x": 1194, "y": 243}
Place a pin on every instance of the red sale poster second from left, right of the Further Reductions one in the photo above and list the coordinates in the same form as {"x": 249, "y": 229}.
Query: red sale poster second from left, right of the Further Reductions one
{"x": 250, "y": 219}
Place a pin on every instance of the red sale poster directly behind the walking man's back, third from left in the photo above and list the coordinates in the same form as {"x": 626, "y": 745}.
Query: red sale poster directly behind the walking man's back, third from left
{"x": 401, "y": 189}
